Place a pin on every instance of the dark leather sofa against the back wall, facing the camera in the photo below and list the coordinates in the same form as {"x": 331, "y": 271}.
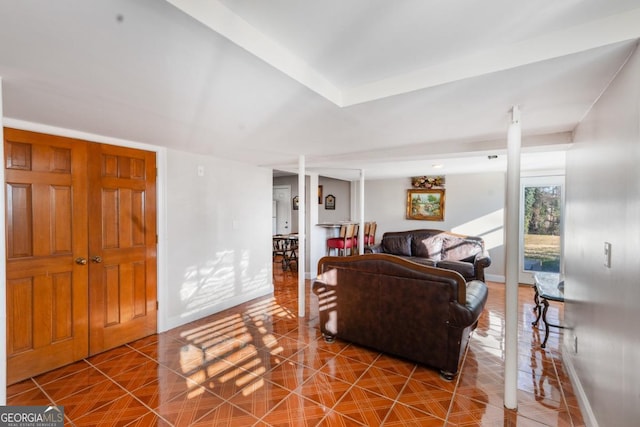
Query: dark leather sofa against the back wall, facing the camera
{"x": 465, "y": 254}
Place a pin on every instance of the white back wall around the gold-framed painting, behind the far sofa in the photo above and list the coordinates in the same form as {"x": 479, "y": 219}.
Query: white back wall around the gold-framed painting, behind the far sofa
{"x": 474, "y": 205}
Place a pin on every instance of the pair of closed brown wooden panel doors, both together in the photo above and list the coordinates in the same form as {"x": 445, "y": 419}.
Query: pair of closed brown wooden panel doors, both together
{"x": 81, "y": 249}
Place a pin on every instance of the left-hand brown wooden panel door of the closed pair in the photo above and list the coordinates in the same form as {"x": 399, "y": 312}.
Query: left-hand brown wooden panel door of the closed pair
{"x": 46, "y": 217}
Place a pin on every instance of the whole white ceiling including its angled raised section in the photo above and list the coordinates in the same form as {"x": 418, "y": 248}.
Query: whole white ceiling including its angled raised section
{"x": 389, "y": 87}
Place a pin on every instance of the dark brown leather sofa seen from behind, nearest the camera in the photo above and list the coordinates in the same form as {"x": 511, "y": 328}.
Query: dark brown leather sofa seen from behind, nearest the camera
{"x": 418, "y": 312}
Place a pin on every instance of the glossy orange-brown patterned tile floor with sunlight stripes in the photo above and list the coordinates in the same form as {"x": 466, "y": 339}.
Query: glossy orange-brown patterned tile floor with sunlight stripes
{"x": 258, "y": 364}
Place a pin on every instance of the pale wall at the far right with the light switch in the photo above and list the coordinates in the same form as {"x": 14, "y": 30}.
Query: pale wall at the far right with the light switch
{"x": 603, "y": 205}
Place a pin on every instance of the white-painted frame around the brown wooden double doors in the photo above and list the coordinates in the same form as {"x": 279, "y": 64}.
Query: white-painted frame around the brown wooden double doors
{"x": 161, "y": 222}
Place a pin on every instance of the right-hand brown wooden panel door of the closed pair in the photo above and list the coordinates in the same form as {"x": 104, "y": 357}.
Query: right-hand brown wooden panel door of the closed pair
{"x": 122, "y": 245}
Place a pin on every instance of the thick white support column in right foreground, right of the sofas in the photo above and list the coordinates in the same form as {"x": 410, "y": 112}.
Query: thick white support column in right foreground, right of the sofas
{"x": 512, "y": 242}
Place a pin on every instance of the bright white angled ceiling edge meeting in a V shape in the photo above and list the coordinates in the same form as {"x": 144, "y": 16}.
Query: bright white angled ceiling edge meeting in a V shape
{"x": 601, "y": 32}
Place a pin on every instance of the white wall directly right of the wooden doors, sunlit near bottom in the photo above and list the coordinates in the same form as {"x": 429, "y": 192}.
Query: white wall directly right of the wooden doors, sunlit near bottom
{"x": 218, "y": 236}
